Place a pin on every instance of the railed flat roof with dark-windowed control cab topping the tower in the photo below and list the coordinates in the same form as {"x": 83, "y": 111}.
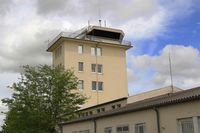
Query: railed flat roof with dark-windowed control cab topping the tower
{"x": 95, "y": 34}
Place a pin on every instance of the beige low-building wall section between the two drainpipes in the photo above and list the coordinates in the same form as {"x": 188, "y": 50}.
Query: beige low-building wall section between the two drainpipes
{"x": 147, "y": 117}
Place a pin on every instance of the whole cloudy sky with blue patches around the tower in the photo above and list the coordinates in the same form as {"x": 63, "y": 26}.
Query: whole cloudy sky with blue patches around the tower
{"x": 156, "y": 29}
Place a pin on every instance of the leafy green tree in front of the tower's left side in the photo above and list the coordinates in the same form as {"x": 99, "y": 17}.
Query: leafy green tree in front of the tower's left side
{"x": 41, "y": 100}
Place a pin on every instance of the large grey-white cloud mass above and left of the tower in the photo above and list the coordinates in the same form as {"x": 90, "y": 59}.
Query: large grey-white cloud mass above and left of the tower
{"x": 27, "y": 25}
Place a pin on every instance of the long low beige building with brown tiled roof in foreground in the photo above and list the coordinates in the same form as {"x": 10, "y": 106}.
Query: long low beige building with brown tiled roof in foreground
{"x": 177, "y": 112}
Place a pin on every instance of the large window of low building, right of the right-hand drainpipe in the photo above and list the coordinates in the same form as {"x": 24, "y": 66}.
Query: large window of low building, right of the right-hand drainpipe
{"x": 186, "y": 125}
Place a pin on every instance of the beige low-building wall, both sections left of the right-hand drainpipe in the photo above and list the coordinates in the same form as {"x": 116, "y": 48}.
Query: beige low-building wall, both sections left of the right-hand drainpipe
{"x": 147, "y": 117}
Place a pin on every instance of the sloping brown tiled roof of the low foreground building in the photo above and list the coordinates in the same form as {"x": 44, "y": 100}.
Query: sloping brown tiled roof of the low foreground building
{"x": 163, "y": 100}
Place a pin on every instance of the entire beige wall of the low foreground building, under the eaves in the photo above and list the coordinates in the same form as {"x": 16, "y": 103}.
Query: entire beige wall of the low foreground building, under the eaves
{"x": 169, "y": 116}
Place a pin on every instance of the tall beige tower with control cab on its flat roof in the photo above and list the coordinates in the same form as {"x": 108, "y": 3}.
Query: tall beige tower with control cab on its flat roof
{"x": 98, "y": 57}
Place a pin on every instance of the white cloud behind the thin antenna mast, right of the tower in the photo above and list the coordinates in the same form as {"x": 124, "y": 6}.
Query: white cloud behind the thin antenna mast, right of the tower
{"x": 185, "y": 66}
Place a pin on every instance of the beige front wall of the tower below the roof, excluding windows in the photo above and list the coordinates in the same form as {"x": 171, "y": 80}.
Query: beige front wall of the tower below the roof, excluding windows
{"x": 114, "y": 74}
